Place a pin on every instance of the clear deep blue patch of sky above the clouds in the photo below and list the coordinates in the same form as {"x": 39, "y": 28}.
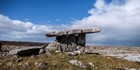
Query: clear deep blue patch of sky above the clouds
{"x": 44, "y": 11}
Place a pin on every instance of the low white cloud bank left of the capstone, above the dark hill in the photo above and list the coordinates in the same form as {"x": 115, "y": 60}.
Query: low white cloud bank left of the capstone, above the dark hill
{"x": 22, "y": 31}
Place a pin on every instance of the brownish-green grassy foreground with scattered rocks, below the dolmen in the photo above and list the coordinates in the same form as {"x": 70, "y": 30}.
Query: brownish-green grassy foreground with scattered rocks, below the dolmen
{"x": 63, "y": 61}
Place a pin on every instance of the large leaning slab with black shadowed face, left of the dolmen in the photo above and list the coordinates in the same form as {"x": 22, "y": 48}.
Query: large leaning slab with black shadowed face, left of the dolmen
{"x": 26, "y": 51}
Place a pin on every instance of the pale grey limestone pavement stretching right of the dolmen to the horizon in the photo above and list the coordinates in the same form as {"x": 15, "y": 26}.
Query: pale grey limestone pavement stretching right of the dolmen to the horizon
{"x": 127, "y": 53}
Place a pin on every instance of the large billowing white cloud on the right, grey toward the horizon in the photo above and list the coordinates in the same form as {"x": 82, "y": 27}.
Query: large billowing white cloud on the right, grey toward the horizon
{"x": 119, "y": 22}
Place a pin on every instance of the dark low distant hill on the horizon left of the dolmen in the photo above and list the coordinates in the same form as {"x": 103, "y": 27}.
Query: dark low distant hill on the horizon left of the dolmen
{"x": 22, "y": 43}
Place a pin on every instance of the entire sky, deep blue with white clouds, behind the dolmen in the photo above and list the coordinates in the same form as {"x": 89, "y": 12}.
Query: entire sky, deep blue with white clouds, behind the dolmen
{"x": 30, "y": 20}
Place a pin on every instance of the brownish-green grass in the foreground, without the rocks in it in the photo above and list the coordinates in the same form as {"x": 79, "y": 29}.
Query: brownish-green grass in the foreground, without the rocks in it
{"x": 59, "y": 61}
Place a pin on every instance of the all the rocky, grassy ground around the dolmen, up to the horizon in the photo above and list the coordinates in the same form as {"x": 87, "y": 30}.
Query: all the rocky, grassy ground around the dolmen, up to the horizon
{"x": 89, "y": 58}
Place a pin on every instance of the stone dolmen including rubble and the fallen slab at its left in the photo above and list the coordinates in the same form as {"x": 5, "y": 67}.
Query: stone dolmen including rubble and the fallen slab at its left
{"x": 66, "y": 41}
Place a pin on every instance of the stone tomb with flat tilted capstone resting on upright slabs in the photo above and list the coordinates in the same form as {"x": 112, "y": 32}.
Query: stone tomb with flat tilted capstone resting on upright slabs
{"x": 70, "y": 40}
